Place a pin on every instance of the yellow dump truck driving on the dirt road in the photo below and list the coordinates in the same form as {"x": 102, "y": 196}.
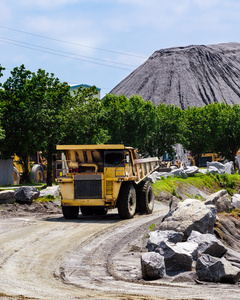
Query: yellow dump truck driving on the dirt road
{"x": 96, "y": 178}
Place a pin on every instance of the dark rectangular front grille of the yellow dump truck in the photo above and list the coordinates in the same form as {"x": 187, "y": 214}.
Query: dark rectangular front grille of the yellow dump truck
{"x": 88, "y": 187}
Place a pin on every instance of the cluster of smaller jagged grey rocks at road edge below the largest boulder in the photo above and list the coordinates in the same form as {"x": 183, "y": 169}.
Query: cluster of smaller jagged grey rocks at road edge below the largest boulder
{"x": 201, "y": 253}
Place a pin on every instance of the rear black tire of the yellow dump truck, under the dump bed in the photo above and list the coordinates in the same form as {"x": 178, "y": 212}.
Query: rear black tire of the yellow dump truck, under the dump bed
{"x": 145, "y": 197}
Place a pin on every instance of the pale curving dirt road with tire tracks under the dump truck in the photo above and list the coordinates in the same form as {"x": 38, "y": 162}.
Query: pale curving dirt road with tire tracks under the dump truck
{"x": 48, "y": 257}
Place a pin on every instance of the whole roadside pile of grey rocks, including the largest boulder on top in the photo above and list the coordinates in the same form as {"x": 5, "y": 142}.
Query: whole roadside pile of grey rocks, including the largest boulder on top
{"x": 185, "y": 243}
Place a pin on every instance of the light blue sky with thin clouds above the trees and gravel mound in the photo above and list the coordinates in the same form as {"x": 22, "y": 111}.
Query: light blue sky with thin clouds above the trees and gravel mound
{"x": 100, "y": 42}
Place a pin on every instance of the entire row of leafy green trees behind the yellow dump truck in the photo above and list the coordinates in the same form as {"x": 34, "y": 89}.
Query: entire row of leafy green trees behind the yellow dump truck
{"x": 37, "y": 112}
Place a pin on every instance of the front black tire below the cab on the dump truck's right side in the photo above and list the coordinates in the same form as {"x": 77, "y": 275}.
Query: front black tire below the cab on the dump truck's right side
{"x": 127, "y": 201}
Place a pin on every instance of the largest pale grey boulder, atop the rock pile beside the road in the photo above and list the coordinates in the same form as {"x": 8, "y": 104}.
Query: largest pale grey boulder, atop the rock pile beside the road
{"x": 191, "y": 215}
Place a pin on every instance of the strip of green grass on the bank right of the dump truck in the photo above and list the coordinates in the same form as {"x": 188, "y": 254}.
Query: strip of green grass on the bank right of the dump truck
{"x": 212, "y": 183}
